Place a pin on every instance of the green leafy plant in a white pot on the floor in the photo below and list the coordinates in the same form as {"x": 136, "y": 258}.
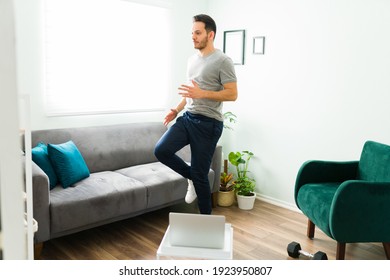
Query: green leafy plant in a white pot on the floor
{"x": 243, "y": 185}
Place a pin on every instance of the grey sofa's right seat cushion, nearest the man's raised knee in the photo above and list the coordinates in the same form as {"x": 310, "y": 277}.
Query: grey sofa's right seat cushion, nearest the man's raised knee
{"x": 162, "y": 183}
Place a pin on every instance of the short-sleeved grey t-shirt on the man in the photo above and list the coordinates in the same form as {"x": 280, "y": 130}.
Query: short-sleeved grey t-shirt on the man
{"x": 210, "y": 73}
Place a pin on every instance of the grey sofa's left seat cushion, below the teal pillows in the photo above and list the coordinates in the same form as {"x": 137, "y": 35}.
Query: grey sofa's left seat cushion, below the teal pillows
{"x": 101, "y": 197}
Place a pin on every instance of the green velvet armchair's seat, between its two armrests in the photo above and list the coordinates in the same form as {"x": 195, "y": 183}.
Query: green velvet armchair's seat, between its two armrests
{"x": 315, "y": 202}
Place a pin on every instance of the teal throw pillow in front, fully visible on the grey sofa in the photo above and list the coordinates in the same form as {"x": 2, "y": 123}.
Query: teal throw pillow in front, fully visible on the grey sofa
{"x": 68, "y": 163}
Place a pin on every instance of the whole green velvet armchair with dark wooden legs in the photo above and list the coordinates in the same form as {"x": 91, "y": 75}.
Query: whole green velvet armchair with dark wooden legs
{"x": 349, "y": 201}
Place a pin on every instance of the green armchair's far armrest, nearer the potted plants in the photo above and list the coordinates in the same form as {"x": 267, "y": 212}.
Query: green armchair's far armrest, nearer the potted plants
{"x": 319, "y": 171}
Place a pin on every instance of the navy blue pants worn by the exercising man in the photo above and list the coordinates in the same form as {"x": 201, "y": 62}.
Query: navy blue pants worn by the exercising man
{"x": 202, "y": 134}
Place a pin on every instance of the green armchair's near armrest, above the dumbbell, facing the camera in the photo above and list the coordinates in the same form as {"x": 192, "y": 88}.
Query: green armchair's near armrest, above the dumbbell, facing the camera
{"x": 360, "y": 212}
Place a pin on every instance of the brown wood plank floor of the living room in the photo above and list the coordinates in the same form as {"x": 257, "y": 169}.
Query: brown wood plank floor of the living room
{"x": 259, "y": 234}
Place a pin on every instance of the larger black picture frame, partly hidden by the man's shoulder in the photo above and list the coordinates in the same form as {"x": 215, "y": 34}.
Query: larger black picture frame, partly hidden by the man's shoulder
{"x": 234, "y": 45}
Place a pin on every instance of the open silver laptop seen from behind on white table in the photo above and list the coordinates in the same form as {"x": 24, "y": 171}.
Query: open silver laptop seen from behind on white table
{"x": 196, "y": 230}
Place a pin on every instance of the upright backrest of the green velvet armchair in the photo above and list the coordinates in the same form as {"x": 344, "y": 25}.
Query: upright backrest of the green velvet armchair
{"x": 374, "y": 164}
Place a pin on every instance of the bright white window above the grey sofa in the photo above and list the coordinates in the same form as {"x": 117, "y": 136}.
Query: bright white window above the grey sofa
{"x": 106, "y": 56}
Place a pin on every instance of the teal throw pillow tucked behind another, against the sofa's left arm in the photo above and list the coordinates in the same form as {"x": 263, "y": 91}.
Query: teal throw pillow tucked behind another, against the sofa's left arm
{"x": 41, "y": 157}
